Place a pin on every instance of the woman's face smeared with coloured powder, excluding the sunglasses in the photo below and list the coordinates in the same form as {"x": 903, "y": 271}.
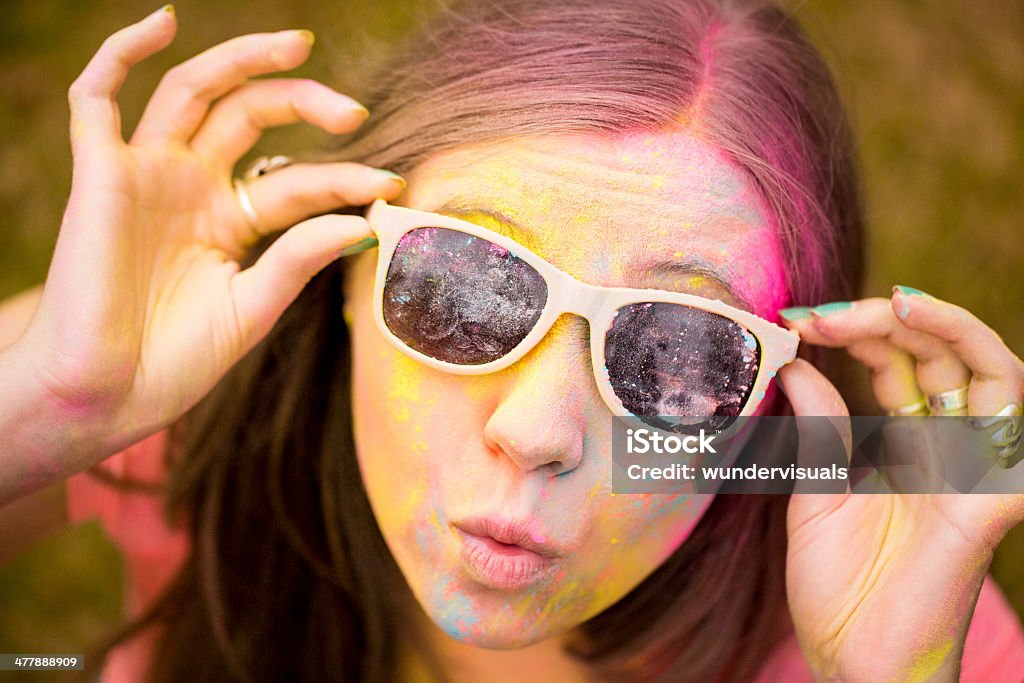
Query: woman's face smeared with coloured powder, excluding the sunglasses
{"x": 531, "y": 445}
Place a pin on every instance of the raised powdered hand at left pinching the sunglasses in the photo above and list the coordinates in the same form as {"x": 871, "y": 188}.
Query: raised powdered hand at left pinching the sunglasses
{"x": 146, "y": 307}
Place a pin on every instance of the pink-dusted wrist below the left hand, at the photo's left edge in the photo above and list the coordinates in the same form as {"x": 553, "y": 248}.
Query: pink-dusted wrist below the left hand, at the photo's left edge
{"x": 42, "y": 442}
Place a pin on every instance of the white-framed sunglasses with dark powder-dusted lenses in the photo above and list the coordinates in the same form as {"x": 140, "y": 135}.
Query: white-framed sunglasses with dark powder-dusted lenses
{"x": 465, "y": 300}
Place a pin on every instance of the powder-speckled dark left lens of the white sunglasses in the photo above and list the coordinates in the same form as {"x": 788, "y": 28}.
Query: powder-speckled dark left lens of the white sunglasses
{"x": 460, "y": 300}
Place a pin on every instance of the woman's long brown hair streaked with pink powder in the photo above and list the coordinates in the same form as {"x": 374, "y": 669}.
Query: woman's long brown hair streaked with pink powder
{"x": 289, "y": 571}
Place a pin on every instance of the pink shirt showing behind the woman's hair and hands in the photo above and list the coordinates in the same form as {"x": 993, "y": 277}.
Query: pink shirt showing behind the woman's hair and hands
{"x": 153, "y": 553}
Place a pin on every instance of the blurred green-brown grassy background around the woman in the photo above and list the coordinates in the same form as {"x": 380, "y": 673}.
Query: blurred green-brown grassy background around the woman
{"x": 935, "y": 91}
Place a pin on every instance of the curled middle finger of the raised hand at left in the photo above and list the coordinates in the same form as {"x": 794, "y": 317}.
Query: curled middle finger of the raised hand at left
{"x": 238, "y": 120}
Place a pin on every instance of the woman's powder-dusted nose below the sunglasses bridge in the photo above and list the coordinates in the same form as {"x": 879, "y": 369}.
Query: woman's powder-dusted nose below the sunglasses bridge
{"x": 540, "y": 419}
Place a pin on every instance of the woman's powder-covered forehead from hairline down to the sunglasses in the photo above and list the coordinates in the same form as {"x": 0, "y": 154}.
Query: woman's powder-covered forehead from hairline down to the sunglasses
{"x": 613, "y": 210}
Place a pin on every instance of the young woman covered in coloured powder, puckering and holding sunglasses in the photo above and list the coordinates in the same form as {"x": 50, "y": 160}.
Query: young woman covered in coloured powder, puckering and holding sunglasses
{"x": 337, "y": 499}
